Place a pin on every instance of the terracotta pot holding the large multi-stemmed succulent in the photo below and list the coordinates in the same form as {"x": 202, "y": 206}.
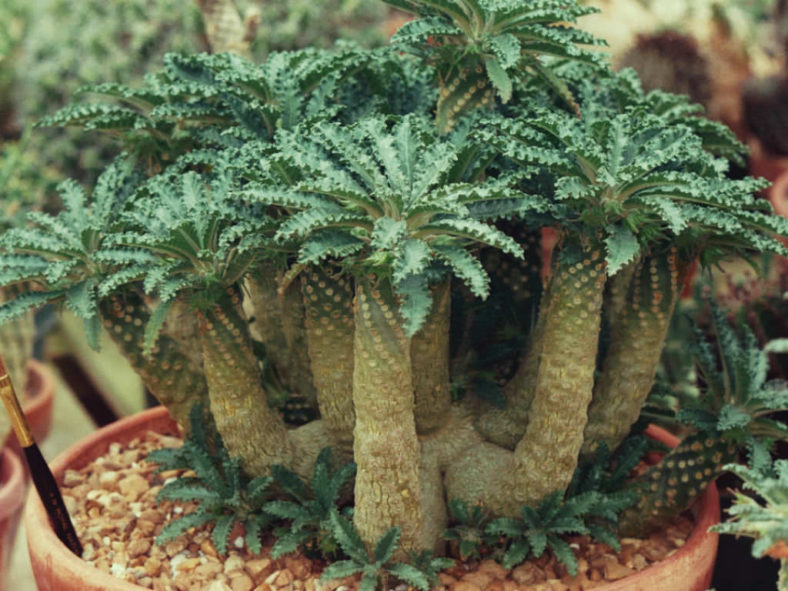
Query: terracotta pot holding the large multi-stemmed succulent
{"x": 57, "y": 569}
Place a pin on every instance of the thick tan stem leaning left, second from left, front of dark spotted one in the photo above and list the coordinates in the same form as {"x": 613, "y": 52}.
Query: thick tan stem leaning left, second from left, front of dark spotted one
{"x": 251, "y": 430}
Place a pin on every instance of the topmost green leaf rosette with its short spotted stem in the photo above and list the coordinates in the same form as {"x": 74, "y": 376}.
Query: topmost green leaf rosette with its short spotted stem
{"x": 484, "y": 48}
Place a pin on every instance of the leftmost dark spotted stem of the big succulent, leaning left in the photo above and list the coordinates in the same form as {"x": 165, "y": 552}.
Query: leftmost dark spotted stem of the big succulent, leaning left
{"x": 173, "y": 377}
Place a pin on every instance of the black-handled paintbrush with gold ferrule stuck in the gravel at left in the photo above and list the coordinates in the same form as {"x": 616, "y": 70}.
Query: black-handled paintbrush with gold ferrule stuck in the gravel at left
{"x": 43, "y": 479}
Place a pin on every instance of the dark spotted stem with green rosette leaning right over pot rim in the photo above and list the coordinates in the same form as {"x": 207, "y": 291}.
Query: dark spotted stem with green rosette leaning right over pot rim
{"x": 733, "y": 414}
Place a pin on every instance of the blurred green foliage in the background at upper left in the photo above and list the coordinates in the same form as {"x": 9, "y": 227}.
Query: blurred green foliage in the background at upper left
{"x": 51, "y": 48}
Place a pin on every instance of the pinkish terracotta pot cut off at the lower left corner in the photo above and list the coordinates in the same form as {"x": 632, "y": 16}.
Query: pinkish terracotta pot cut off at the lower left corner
{"x": 12, "y": 495}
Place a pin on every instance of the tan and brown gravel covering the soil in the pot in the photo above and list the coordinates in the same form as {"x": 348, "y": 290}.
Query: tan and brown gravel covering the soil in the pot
{"x": 112, "y": 503}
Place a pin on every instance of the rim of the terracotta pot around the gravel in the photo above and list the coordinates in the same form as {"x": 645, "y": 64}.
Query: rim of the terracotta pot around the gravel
{"x": 158, "y": 418}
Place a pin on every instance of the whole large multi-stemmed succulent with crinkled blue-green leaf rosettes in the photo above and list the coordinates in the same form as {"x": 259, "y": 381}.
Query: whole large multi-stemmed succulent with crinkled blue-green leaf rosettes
{"x": 355, "y": 203}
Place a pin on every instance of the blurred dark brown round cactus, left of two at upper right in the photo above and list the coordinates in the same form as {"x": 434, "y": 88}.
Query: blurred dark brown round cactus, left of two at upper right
{"x": 670, "y": 61}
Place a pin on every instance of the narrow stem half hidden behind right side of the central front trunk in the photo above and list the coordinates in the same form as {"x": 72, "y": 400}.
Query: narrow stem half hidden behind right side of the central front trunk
{"x": 429, "y": 351}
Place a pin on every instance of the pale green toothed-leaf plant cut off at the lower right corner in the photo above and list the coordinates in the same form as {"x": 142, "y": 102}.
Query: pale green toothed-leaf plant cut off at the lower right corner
{"x": 764, "y": 518}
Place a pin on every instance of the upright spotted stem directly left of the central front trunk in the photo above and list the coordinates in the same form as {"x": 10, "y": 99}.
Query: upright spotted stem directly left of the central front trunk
{"x": 329, "y": 334}
